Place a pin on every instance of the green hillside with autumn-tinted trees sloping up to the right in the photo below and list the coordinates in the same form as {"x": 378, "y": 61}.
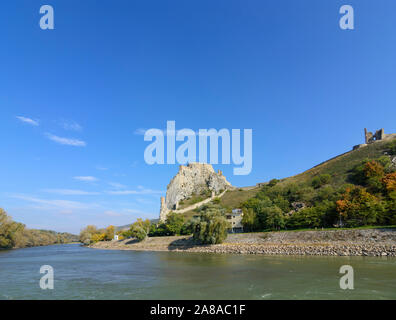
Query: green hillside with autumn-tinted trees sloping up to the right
{"x": 314, "y": 197}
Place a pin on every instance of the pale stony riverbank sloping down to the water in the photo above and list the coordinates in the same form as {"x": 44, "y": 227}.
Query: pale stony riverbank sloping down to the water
{"x": 368, "y": 242}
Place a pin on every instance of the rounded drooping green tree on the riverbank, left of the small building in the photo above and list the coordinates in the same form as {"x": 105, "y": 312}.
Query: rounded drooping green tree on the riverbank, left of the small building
{"x": 212, "y": 226}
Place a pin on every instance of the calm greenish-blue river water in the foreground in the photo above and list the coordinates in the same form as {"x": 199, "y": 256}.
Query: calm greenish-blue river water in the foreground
{"x": 84, "y": 273}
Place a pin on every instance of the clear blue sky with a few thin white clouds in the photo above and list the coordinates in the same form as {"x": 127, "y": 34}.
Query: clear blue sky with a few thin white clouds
{"x": 73, "y": 100}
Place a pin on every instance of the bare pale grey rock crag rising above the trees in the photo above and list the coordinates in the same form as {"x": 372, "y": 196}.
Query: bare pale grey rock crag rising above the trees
{"x": 195, "y": 178}
